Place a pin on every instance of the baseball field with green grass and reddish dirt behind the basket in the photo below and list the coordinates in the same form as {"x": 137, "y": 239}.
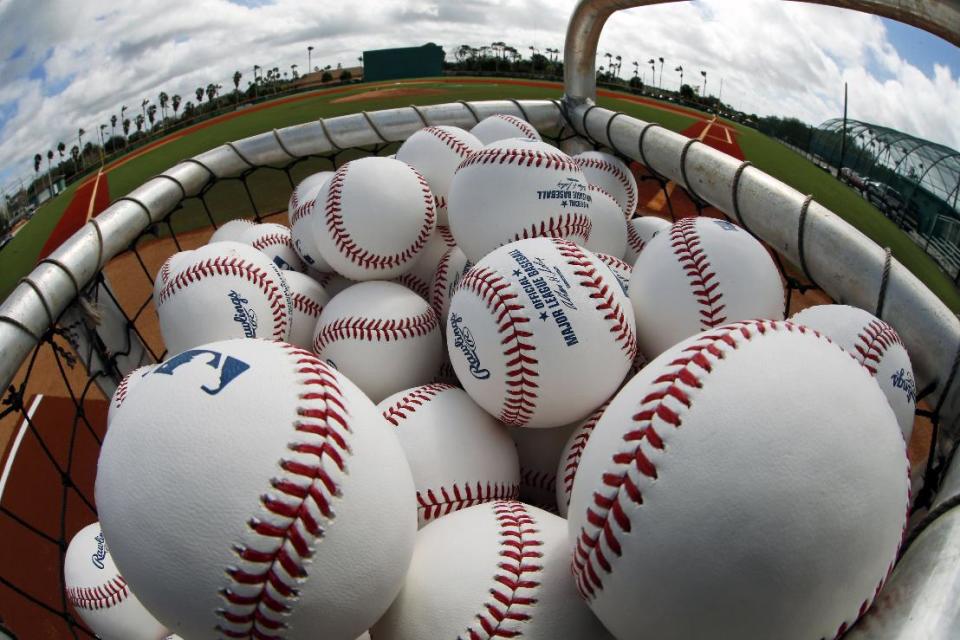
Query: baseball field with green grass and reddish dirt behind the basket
{"x": 55, "y": 221}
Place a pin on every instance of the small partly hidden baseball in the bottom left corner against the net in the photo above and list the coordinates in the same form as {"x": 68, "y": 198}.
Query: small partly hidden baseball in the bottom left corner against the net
{"x": 100, "y": 595}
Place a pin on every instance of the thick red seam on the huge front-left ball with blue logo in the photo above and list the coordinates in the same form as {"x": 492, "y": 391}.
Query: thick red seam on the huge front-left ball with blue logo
{"x": 278, "y": 563}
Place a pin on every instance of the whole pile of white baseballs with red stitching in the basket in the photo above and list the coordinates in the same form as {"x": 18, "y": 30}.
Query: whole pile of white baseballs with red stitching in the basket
{"x": 467, "y": 392}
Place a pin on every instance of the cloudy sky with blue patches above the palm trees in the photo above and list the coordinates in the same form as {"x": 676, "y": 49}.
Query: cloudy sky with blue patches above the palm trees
{"x": 66, "y": 64}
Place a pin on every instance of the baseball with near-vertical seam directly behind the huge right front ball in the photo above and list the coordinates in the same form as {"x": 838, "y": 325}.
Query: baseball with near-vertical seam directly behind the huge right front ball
{"x": 702, "y": 274}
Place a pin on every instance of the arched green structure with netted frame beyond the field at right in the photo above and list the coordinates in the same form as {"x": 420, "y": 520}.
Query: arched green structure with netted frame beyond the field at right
{"x": 914, "y": 182}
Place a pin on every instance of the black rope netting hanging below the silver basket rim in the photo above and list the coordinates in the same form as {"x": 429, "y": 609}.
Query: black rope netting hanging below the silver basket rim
{"x": 56, "y": 411}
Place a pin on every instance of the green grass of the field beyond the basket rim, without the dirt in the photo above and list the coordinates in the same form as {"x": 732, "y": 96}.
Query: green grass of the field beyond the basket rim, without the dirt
{"x": 270, "y": 188}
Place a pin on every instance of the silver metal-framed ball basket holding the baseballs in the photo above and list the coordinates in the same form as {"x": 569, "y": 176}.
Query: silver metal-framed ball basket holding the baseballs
{"x": 68, "y": 298}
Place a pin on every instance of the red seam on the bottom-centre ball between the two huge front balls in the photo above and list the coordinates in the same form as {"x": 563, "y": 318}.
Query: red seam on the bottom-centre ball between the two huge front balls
{"x": 515, "y": 584}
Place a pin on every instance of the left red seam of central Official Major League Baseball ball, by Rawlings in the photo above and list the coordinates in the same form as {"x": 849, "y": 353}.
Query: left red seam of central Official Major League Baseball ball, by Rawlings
{"x": 520, "y": 396}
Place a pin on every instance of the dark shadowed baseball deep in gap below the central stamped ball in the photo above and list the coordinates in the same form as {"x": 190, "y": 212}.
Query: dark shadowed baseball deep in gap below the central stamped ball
{"x": 539, "y": 451}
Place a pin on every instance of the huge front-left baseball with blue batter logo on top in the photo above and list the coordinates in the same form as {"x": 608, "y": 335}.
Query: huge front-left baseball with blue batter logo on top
{"x": 274, "y": 499}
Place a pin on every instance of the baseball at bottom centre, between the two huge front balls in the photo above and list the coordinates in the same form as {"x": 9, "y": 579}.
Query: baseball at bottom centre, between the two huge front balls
{"x": 496, "y": 570}
